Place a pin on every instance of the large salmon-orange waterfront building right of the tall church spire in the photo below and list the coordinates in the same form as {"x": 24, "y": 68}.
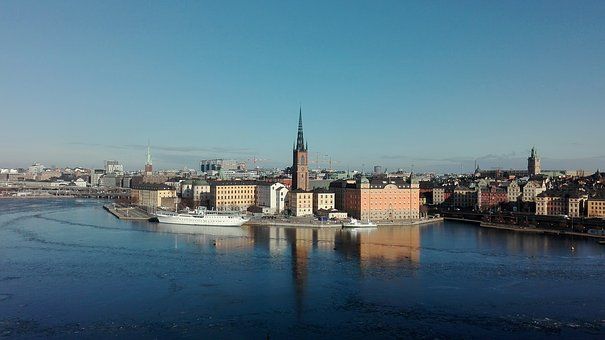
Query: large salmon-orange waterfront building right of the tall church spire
{"x": 383, "y": 200}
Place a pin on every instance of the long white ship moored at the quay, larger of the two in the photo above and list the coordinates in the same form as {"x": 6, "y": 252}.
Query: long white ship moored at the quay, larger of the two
{"x": 202, "y": 216}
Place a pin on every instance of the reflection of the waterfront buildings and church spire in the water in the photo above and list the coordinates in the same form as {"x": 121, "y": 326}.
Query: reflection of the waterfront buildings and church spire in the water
{"x": 368, "y": 247}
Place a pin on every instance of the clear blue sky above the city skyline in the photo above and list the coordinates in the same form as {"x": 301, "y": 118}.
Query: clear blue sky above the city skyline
{"x": 436, "y": 84}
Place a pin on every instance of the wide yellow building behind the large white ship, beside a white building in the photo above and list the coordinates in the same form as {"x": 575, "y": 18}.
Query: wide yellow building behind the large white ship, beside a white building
{"x": 232, "y": 195}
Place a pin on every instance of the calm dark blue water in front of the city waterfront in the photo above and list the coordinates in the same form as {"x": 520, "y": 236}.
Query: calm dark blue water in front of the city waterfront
{"x": 69, "y": 269}
